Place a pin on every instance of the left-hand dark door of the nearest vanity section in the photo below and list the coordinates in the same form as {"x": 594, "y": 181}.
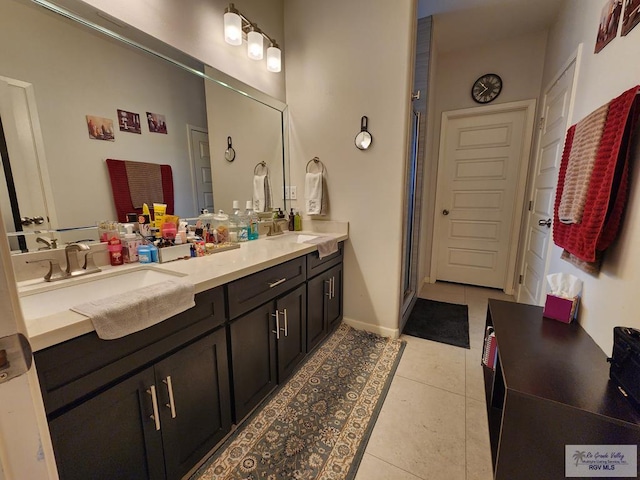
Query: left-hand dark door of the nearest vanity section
{"x": 111, "y": 435}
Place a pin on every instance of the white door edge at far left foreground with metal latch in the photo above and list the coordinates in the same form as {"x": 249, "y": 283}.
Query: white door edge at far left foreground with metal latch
{"x": 25, "y": 446}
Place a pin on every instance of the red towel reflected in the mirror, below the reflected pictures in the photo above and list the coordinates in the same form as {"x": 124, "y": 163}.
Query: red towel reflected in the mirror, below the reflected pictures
{"x": 122, "y": 195}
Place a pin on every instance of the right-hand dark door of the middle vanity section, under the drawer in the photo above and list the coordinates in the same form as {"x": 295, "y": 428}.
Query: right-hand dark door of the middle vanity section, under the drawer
{"x": 292, "y": 344}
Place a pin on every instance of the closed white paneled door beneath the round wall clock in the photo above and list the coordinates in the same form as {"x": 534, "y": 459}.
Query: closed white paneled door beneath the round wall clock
{"x": 482, "y": 169}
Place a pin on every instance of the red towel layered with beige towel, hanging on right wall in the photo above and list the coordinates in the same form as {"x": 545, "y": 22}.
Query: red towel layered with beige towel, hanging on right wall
{"x": 601, "y": 148}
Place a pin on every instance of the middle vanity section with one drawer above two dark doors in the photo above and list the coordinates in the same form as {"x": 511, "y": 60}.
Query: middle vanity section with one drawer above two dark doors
{"x": 266, "y": 346}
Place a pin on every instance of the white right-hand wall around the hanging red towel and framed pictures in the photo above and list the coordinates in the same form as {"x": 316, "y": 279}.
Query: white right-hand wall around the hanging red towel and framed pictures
{"x": 608, "y": 298}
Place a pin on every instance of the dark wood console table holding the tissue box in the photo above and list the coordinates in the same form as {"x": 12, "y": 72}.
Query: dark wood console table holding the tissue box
{"x": 550, "y": 388}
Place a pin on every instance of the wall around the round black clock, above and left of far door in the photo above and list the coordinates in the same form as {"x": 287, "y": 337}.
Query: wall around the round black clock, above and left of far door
{"x": 518, "y": 61}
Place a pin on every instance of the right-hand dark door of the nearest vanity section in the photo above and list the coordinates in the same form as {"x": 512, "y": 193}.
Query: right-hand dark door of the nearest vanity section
{"x": 194, "y": 395}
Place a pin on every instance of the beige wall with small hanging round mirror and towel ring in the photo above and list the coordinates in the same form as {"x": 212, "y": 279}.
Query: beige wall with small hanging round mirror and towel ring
{"x": 346, "y": 60}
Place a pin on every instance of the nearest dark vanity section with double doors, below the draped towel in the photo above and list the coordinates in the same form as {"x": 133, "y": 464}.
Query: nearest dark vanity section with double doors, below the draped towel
{"x": 147, "y": 414}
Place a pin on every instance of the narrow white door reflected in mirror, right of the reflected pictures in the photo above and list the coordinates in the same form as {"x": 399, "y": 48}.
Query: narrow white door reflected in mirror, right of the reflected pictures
{"x": 201, "y": 168}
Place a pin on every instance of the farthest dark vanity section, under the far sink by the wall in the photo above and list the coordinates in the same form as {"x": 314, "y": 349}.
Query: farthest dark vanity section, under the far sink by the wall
{"x": 324, "y": 297}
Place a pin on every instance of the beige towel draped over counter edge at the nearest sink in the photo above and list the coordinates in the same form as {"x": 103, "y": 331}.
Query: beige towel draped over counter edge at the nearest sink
{"x": 120, "y": 315}
